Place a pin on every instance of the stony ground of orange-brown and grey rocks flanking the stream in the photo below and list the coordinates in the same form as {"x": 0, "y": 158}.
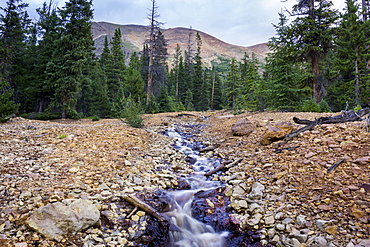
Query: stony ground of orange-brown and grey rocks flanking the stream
{"x": 42, "y": 162}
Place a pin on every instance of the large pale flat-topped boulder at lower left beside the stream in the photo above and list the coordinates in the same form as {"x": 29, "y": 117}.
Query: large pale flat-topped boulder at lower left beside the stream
{"x": 56, "y": 219}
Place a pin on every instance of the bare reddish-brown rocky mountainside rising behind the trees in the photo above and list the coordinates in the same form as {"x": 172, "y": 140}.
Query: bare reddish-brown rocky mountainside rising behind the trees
{"x": 213, "y": 49}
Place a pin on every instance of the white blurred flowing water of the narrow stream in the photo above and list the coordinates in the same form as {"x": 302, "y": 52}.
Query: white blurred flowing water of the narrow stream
{"x": 187, "y": 231}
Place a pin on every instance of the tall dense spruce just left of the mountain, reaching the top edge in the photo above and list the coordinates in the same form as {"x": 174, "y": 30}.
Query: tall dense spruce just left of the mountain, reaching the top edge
{"x": 73, "y": 51}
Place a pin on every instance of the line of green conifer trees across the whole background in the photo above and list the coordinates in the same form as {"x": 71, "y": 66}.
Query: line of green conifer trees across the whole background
{"x": 318, "y": 61}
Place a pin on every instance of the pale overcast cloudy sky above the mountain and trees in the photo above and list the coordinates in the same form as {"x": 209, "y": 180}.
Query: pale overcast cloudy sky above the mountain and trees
{"x": 238, "y": 22}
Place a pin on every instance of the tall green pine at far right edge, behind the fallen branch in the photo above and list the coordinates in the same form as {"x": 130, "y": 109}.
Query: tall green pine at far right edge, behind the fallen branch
{"x": 352, "y": 55}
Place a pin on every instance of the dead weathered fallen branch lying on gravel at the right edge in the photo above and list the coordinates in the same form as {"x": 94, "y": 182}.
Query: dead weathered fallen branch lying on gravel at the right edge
{"x": 347, "y": 116}
